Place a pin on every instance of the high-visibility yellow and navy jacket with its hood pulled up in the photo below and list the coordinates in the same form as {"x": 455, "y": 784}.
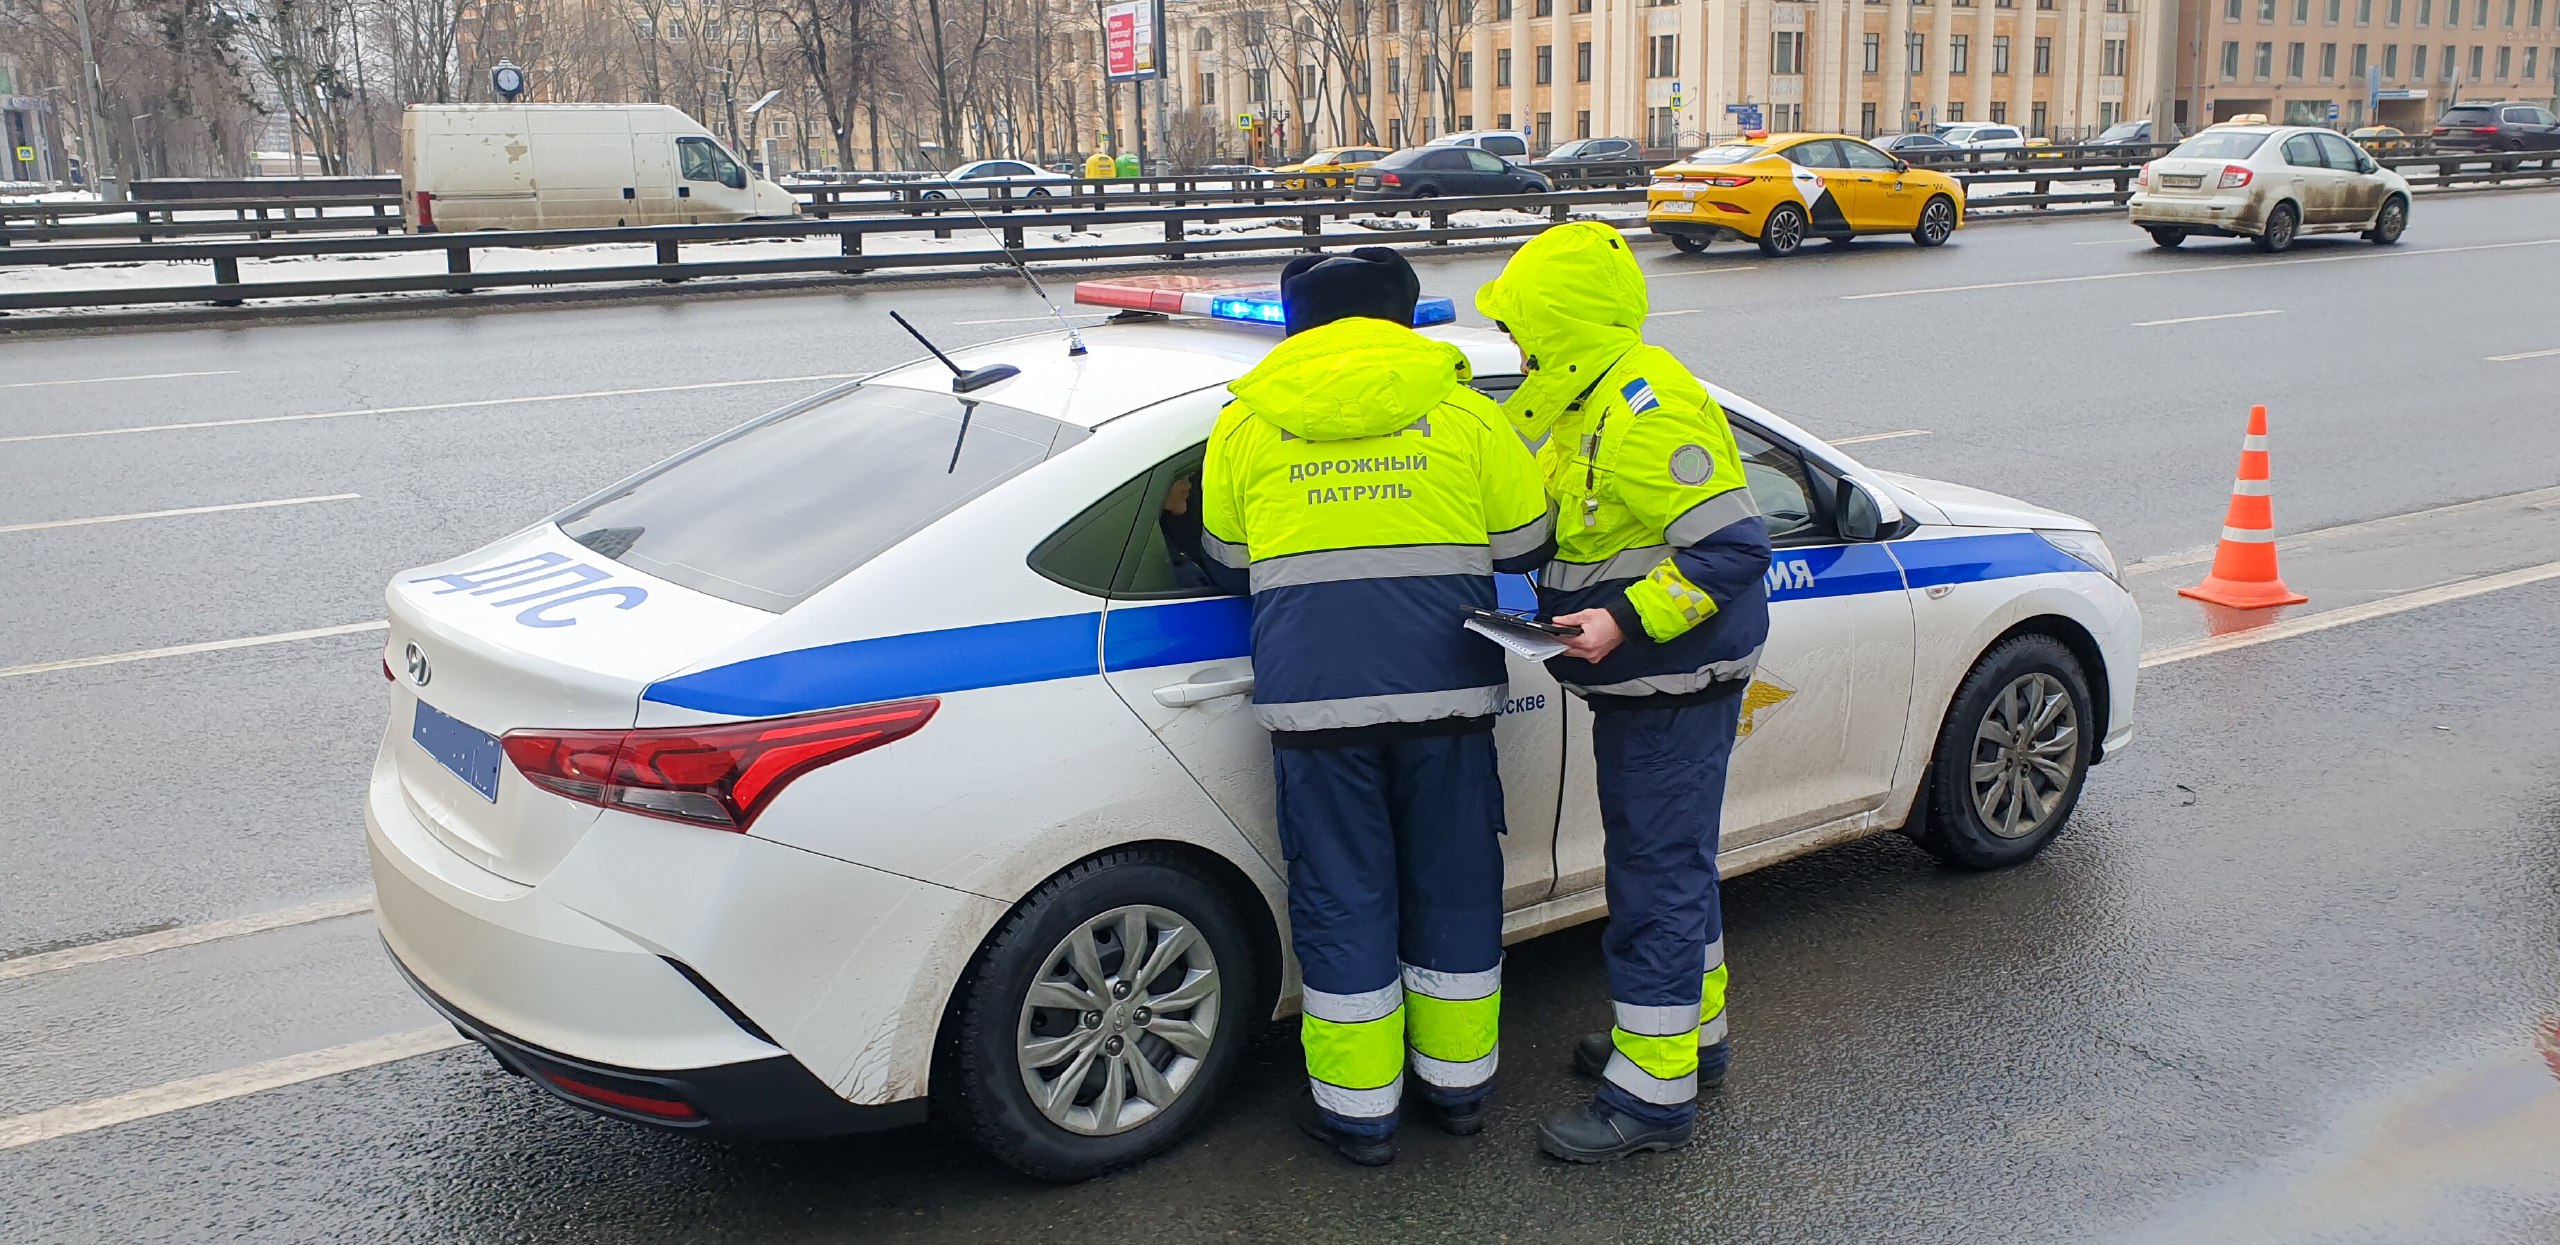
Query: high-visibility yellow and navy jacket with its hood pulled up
{"x": 1655, "y": 519}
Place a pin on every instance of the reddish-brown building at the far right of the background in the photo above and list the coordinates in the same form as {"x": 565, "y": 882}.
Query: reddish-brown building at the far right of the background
{"x": 2364, "y": 63}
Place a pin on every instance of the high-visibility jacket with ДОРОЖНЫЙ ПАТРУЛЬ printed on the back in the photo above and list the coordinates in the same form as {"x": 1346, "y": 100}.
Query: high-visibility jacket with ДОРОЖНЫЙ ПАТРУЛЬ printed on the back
{"x": 1368, "y": 496}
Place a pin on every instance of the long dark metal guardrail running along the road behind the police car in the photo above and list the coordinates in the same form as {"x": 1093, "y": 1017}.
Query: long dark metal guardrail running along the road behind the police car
{"x": 1309, "y": 214}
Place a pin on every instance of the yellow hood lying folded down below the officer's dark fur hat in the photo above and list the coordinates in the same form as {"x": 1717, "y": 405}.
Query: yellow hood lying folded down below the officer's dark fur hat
{"x": 1353, "y": 378}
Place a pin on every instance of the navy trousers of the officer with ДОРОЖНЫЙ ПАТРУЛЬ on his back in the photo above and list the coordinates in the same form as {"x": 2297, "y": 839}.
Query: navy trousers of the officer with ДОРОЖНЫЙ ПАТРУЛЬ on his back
{"x": 1394, "y": 875}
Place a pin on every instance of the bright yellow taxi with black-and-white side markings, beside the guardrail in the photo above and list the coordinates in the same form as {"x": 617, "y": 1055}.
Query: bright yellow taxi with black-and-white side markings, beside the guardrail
{"x": 1786, "y": 188}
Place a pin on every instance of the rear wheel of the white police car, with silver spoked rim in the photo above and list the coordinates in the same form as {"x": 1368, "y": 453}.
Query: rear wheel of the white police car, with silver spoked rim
{"x": 984, "y": 1057}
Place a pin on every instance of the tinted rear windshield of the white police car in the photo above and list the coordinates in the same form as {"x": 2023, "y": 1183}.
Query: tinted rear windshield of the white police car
{"x": 785, "y": 506}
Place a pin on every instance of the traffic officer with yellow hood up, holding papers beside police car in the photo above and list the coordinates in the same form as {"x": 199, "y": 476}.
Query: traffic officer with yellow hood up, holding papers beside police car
{"x": 1660, "y": 560}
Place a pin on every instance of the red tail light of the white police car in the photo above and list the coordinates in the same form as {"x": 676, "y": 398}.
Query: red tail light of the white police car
{"x": 705, "y": 775}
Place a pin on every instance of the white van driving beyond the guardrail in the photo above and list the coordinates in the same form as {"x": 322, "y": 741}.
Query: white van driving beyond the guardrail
{"x": 572, "y": 168}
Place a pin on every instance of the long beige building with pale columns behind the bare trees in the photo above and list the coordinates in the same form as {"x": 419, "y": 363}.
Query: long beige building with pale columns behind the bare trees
{"x": 1670, "y": 73}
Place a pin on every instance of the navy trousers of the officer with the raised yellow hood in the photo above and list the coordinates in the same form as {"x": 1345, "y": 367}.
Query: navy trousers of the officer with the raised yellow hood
{"x": 1663, "y": 798}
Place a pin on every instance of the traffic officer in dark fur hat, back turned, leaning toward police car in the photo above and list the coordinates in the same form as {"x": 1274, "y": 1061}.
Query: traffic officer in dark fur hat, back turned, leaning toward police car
{"x": 1366, "y": 498}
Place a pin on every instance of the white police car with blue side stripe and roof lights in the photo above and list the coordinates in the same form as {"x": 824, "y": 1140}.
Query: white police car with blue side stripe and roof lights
{"x": 879, "y": 754}
